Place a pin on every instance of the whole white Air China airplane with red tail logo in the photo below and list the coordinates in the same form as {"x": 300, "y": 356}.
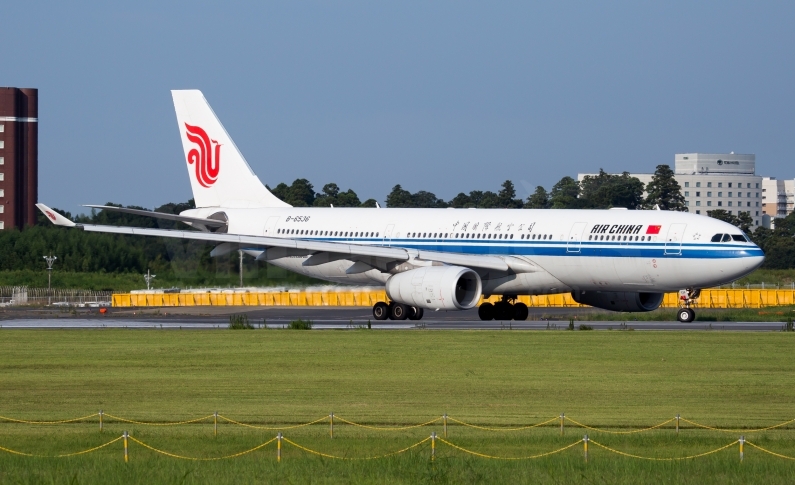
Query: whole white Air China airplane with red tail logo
{"x": 446, "y": 259}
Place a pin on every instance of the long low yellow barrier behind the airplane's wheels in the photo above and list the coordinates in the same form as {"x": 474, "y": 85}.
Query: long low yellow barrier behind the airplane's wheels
{"x": 715, "y": 298}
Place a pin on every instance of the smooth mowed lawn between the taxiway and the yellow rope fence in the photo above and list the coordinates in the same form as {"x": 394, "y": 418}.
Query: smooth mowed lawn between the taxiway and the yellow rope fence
{"x": 489, "y": 377}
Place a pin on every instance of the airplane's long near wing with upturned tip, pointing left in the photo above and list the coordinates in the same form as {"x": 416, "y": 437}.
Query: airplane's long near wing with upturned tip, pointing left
{"x": 336, "y": 250}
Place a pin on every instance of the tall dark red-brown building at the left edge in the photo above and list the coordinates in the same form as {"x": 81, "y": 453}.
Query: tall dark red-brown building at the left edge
{"x": 19, "y": 156}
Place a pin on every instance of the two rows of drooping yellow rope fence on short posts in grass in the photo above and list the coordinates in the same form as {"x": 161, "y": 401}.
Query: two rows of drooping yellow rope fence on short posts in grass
{"x": 433, "y": 438}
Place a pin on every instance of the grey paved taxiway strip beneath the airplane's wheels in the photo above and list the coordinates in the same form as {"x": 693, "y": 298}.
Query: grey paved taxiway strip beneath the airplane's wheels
{"x": 337, "y": 318}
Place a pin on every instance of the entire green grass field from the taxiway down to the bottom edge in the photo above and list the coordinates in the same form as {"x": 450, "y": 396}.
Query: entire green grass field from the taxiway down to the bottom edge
{"x": 616, "y": 380}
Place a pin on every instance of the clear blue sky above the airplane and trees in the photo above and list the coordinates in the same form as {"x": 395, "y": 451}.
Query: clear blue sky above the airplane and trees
{"x": 437, "y": 96}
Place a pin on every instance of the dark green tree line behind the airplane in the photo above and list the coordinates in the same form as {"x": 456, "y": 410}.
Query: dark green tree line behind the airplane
{"x": 190, "y": 261}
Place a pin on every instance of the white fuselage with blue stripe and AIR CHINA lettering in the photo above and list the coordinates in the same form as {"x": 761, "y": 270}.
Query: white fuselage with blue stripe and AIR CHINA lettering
{"x": 549, "y": 251}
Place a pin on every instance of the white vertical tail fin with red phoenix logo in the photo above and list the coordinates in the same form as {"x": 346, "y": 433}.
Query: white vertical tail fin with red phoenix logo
{"x": 219, "y": 175}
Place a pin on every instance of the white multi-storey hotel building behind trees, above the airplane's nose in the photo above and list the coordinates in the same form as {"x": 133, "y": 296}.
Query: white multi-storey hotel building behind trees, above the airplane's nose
{"x": 713, "y": 181}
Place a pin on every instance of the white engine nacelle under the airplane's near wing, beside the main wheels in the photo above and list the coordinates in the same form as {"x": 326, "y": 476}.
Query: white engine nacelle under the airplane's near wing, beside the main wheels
{"x": 436, "y": 287}
